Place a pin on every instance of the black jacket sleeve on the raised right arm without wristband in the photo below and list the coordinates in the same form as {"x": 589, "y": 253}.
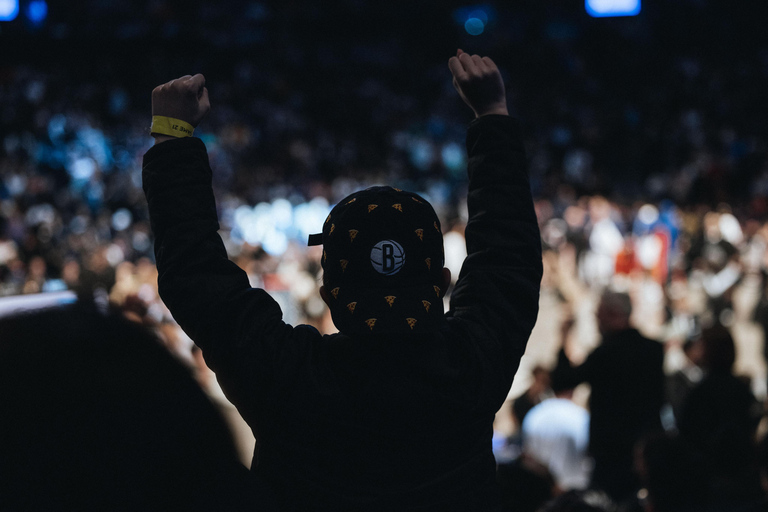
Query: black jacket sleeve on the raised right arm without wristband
{"x": 498, "y": 287}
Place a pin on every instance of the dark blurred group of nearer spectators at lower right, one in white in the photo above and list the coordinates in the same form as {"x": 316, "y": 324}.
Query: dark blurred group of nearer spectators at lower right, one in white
{"x": 708, "y": 454}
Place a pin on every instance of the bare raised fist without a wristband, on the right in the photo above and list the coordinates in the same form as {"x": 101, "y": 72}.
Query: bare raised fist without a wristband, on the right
{"x": 479, "y": 83}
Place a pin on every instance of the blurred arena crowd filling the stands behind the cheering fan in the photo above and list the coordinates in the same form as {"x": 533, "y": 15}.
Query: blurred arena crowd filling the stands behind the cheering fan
{"x": 646, "y": 138}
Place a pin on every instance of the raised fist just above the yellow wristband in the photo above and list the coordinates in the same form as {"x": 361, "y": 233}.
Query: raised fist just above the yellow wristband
{"x": 184, "y": 98}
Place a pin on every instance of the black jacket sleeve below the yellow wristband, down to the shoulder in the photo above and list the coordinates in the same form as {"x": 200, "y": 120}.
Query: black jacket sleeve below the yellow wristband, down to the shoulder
{"x": 208, "y": 295}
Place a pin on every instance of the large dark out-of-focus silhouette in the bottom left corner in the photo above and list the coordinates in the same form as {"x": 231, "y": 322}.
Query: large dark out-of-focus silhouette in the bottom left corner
{"x": 97, "y": 415}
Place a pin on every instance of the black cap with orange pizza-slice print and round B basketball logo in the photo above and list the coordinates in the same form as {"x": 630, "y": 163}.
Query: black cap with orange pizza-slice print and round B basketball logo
{"x": 383, "y": 262}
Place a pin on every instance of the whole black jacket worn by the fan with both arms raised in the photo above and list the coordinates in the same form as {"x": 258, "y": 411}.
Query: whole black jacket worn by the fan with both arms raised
{"x": 372, "y": 422}
